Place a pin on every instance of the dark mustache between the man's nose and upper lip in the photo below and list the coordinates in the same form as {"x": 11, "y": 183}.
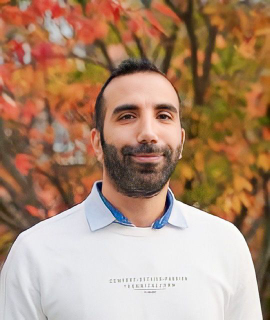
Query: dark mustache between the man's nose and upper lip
{"x": 145, "y": 148}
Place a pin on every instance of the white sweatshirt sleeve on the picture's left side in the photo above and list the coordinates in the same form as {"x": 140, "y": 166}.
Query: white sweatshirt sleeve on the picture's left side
{"x": 19, "y": 291}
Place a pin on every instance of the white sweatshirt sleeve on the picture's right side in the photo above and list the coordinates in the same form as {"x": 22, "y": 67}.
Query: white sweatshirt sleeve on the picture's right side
{"x": 244, "y": 303}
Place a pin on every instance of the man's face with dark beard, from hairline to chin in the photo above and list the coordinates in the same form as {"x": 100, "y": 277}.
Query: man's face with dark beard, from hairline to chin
{"x": 142, "y": 133}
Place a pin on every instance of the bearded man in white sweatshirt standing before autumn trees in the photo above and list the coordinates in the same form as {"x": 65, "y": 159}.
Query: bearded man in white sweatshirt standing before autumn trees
{"x": 130, "y": 250}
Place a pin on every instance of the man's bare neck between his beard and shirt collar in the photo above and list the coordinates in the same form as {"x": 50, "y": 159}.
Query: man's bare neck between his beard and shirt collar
{"x": 142, "y": 212}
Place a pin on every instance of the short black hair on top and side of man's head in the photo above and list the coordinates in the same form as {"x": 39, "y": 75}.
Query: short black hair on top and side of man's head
{"x": 128, "y": 66}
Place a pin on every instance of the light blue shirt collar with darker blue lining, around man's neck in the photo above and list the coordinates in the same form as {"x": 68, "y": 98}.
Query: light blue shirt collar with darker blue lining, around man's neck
{"x": 100, "y": 213}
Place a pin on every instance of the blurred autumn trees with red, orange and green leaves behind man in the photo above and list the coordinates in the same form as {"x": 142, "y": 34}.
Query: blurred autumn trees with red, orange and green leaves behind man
{"x": 56, "y": 54}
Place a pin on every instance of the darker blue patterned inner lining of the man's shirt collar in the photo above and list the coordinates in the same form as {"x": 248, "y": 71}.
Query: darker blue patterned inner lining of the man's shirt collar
{"x": 120, "y": 218}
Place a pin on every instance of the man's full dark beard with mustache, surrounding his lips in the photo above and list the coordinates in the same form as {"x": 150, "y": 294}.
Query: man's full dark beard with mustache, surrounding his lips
{"x": 139, "y": 180}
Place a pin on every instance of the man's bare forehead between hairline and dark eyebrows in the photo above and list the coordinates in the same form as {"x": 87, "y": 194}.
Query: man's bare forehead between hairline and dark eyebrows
{"x": 142, "y": 88}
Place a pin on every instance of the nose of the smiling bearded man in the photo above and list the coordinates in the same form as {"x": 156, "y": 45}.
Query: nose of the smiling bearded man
{"x": 147, "y": 131}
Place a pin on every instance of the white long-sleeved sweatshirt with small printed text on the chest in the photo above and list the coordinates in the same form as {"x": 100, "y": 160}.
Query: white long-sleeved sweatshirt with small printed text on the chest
{"x": 62, "y": 270}
